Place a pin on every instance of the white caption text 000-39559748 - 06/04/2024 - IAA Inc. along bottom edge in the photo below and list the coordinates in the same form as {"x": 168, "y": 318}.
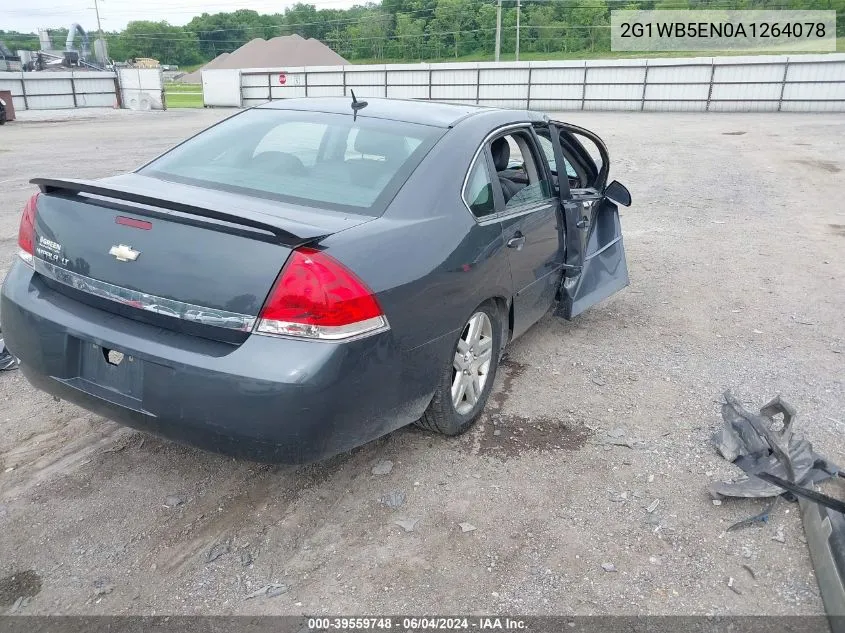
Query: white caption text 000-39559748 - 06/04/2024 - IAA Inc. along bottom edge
{"x": 413, "y": 624}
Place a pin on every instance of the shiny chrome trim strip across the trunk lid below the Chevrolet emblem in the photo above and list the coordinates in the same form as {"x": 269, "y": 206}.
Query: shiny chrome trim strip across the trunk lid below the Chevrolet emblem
{"x": 144, "y": 301}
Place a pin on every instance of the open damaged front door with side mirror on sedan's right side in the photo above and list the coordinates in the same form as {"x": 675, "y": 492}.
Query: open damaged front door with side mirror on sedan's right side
{"x": 595, "y": 255}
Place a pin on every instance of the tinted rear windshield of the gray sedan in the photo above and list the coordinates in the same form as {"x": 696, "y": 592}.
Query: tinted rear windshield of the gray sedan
{"x": 310, "y": 158}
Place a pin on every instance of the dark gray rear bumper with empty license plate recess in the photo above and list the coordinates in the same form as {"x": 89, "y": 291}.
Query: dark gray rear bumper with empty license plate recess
{"x": 269, "y": 399}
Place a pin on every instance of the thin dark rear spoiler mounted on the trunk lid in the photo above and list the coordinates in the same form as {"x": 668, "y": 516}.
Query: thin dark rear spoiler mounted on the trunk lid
{"x": 72, "y": 187}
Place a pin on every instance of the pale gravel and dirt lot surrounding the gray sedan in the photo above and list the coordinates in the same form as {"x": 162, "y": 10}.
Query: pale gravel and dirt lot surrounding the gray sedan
{"x": 736, "y": 247}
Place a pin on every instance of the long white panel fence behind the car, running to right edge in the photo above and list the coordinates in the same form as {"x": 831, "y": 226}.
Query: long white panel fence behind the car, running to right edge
{"x": 800, "y": 83}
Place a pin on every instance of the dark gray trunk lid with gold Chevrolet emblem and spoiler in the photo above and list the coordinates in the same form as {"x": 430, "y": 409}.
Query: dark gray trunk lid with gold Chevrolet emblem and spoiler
{"x": 175, "y": 255}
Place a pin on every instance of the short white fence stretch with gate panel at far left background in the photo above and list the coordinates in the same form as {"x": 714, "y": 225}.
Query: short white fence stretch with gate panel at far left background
{"x": 140, "y": 89}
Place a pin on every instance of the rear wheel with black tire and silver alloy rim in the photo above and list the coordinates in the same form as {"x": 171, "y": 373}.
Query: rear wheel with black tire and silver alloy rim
{"x": 442, "y": 415}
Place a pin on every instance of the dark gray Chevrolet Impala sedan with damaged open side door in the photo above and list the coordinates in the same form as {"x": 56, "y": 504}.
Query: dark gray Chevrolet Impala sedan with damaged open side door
{"x": 306, "y": 275}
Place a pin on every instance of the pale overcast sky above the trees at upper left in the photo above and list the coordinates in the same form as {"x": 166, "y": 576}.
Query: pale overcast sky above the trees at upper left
{"x": 30, "y": 15}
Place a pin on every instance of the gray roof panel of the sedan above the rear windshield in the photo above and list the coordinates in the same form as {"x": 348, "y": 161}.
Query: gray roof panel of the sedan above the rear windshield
{"x": 435, "y": 113}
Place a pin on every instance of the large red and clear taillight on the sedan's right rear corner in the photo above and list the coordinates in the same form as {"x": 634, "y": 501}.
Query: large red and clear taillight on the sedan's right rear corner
{"x": 317, "y": 297}
